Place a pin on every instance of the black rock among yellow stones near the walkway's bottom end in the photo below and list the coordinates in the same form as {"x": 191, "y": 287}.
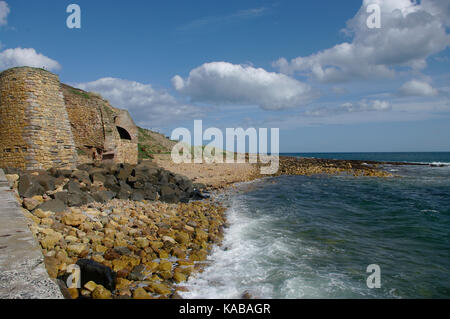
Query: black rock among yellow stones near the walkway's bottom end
{"x": 98, "y": 273}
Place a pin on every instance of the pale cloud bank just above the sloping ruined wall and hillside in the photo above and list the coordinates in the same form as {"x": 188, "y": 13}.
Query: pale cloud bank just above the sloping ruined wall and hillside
{"x": 150, "y": 107}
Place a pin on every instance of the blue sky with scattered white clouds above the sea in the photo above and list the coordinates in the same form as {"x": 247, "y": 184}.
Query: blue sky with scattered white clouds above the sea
{"x": 311, "y": 68}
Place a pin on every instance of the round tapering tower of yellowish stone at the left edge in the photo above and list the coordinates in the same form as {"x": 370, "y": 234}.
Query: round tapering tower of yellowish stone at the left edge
{"x": 35, "y": 132}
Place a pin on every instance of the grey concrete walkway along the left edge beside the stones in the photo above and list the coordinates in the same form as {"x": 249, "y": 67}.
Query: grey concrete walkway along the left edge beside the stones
{"x": 22, "y": 271}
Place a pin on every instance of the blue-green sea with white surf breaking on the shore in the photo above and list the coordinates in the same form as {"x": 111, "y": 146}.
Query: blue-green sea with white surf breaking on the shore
{"x": 336, "y": 237}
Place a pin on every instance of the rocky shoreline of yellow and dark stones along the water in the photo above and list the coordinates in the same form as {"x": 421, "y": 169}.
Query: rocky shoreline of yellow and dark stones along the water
{"x": 135, "y": 231}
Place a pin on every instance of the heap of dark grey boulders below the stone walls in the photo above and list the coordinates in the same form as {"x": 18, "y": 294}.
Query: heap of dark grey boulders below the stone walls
{"x": 103, "y": 182}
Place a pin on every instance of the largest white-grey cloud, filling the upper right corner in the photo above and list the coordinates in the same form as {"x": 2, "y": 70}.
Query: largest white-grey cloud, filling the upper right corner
{"x": 410, "y": 32}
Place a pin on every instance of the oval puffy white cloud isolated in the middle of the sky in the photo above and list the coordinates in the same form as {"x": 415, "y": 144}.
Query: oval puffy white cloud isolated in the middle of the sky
{"x": 226, "y": 83}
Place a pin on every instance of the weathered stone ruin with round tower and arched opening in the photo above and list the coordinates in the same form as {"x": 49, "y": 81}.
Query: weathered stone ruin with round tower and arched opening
{"x": 44, "y": 123}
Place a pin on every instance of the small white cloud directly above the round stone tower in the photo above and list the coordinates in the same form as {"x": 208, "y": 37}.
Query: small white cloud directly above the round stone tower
{"x": 10, "y": 58}
